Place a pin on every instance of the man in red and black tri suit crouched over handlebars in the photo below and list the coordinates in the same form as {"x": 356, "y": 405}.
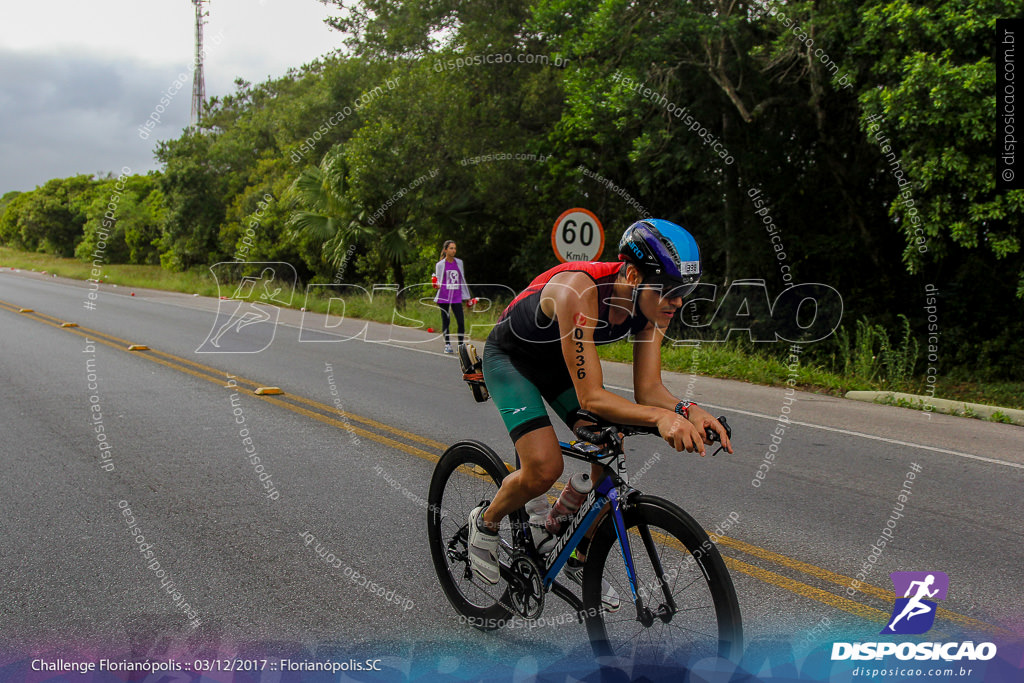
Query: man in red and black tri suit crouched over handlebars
{"x": 543, "y": 349}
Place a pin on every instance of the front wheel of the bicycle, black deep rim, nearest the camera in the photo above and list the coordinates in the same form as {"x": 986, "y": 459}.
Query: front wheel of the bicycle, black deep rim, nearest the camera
{"x": 707, "y": 622}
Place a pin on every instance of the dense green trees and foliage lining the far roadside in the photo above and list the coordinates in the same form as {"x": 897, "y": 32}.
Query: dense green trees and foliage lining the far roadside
{"x": 840, "y": 143}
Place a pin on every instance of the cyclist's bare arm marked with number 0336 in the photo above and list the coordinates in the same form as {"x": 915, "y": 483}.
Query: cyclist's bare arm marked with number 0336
{"x": 572, "y": 300}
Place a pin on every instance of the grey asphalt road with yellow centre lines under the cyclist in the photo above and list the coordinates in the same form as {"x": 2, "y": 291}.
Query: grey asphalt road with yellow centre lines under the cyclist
{"x": 350, "y": 449}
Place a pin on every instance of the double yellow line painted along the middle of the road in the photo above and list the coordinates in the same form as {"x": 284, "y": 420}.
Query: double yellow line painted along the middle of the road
{"x": 432, "y": 451}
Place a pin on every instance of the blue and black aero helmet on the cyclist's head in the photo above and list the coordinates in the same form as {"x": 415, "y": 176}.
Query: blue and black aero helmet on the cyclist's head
{"x": 666, "y": 254}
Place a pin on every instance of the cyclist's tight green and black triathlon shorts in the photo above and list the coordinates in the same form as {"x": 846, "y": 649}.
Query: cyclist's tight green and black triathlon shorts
{"x": 520, "y": 389}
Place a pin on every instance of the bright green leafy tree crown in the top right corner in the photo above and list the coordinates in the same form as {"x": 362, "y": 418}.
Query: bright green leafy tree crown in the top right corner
{"x": 933, "y": 102}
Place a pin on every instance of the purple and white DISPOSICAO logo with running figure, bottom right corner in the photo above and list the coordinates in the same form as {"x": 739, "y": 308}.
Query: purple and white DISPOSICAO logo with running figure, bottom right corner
{"x": 914, "y": 613}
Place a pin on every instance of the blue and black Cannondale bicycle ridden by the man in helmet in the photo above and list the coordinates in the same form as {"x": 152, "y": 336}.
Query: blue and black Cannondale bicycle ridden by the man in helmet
{"x": 680, "y": 604}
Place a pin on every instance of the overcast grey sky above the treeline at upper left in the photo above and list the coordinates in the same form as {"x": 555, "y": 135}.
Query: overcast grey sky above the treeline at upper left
{"x": 78, "y": 79}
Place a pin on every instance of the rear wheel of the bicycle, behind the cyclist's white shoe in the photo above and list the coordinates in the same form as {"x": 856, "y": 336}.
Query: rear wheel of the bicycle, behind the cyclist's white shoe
{"x": 455, "y": 490}
